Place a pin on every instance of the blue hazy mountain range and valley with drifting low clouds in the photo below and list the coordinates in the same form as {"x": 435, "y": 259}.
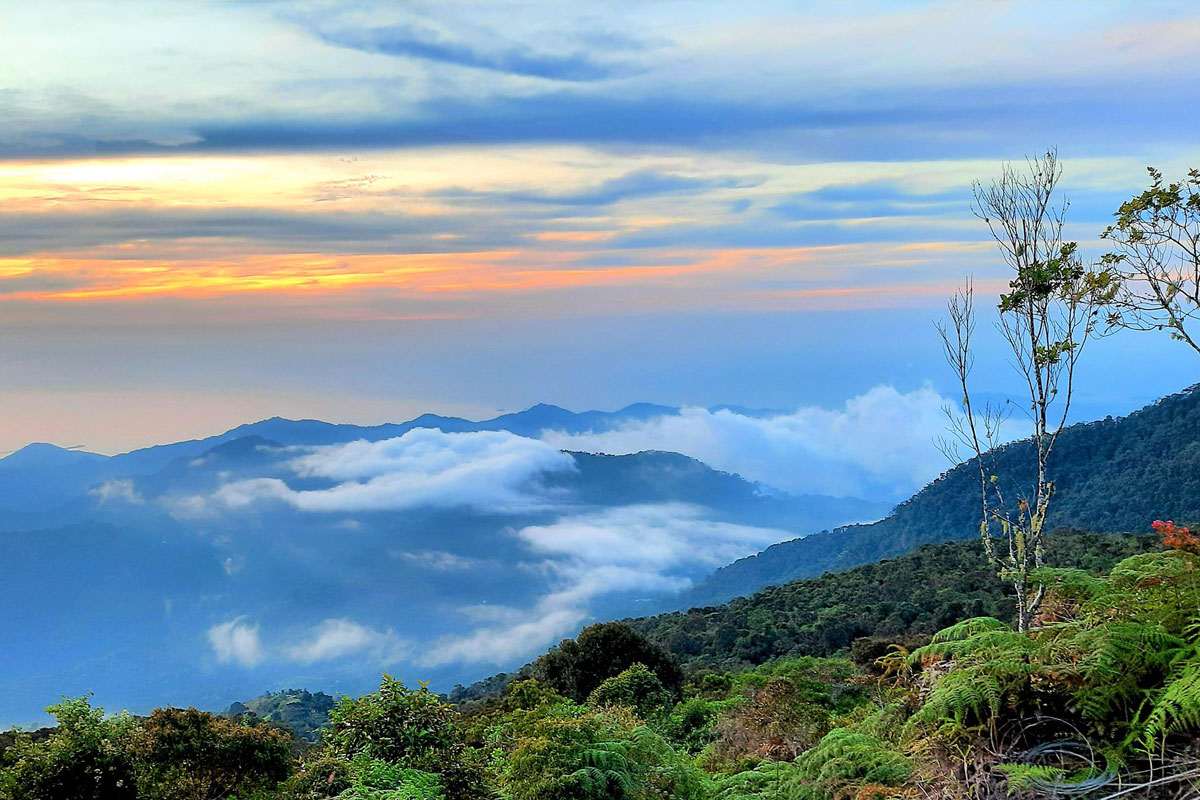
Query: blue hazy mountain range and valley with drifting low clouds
{"x": 124, "y": 569}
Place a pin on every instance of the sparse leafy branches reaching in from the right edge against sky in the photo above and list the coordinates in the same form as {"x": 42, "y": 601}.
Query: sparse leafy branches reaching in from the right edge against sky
{"x": 1157, "y": 258}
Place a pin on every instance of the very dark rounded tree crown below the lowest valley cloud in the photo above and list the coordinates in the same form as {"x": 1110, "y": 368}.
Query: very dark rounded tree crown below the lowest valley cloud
{"x": 601, "y": 652}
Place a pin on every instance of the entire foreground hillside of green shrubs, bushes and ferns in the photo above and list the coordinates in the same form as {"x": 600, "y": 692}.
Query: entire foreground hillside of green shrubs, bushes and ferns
{"x": 1114, "y": 660}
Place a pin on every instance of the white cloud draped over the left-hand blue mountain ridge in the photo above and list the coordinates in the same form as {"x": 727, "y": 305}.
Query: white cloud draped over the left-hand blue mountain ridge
{"x": 487, "y": 471}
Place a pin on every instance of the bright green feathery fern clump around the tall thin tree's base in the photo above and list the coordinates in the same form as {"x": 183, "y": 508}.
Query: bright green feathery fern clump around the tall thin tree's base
{"x": 1124, "y": 659}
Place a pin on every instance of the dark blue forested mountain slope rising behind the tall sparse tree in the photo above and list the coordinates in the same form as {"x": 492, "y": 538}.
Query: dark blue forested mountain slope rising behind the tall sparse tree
{"x": 1114, "y": 474}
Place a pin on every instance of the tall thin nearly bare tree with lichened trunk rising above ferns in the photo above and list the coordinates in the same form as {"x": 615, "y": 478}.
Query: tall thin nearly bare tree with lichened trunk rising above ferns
{"x": 1047, "y": 317}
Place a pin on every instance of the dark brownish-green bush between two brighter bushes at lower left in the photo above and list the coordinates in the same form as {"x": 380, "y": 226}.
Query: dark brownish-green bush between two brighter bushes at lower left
{"x": 189, "y": 755}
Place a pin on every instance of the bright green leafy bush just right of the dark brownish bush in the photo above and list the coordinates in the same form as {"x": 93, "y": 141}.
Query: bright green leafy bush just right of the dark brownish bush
{"x": 415, "y": 730}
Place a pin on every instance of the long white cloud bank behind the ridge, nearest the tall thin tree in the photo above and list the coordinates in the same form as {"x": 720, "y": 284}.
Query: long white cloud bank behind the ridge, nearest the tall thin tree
{"x": 881, "y": 444}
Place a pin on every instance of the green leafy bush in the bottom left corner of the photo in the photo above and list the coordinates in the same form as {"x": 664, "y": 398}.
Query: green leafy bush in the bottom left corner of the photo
{"x": 85, "y": 759}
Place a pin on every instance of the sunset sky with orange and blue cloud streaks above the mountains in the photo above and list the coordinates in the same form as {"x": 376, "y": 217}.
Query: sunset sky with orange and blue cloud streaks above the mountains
{"x": 221, "y": 212}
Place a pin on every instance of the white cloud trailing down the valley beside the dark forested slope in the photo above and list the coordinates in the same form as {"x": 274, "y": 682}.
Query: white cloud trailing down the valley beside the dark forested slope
{"x": 651, "y": 549}
